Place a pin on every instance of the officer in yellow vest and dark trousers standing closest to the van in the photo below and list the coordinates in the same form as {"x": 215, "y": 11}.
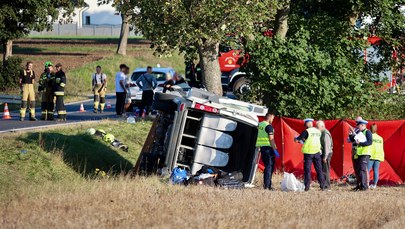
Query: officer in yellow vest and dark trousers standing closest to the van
{"x": 268, "y": 148}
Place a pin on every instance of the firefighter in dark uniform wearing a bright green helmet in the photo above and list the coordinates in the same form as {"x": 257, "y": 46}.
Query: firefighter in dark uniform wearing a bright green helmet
{"x": 46, "y": 82}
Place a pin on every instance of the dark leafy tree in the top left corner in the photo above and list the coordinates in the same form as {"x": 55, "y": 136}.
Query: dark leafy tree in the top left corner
{"x": 19, "y": 17}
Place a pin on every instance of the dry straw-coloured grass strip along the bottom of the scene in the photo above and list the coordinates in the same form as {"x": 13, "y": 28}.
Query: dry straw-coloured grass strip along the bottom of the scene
{"x": 152, "y": 203}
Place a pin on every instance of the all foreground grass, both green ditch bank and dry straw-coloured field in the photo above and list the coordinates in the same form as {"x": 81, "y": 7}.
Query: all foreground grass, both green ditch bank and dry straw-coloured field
{"x": 52, "y": 185}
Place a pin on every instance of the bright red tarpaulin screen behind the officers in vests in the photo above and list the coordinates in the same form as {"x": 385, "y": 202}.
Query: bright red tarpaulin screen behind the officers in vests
{"x": 392, "y": 170}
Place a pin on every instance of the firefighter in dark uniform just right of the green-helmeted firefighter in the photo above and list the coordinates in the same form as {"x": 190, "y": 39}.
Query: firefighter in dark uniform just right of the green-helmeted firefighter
{"x": 59, "y": 91}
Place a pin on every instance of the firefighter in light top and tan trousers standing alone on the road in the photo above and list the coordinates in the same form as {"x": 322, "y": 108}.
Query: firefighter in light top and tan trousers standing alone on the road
{"x": 99, "y": 83}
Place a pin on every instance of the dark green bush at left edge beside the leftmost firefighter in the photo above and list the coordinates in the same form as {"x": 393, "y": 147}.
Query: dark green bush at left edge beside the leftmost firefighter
{"x": 9, "y": 73}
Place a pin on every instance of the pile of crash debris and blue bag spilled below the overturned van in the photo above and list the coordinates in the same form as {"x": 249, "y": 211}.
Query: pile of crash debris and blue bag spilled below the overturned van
{"x": 209, "y": 176}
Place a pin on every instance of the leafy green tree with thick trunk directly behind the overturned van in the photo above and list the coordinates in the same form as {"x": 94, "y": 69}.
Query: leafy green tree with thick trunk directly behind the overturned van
{"x": 200, "y": 26}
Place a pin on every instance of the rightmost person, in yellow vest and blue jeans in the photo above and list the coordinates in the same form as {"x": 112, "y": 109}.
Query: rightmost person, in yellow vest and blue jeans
{"x": 377, "y": 155}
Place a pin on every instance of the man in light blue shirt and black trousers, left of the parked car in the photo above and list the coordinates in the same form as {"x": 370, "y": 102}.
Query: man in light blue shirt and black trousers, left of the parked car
{"x": 120, "y": 89}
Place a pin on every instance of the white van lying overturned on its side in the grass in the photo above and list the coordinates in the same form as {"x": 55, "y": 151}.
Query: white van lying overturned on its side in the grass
{"x": 201, "y": 129}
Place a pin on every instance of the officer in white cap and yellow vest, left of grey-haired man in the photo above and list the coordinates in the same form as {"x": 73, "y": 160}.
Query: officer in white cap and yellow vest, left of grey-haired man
{"x": 311, "y": 137}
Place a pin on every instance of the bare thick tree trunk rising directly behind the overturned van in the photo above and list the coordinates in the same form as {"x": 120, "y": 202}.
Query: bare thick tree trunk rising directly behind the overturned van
{"x": 211, "y": 72}
